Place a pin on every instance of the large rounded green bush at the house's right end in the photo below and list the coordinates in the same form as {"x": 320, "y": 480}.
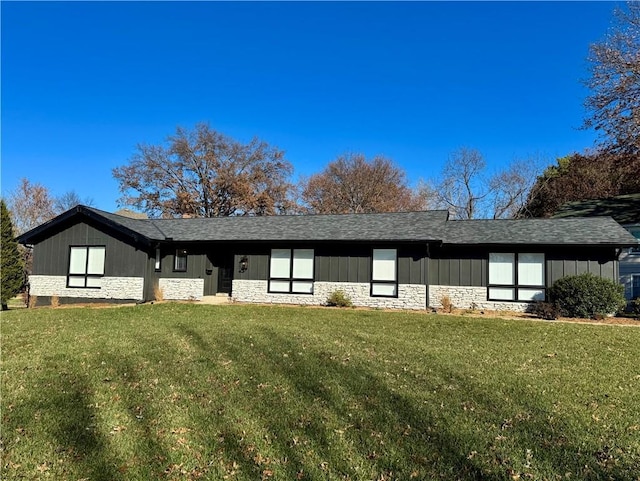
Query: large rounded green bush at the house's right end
{"x": 587, "y": 296}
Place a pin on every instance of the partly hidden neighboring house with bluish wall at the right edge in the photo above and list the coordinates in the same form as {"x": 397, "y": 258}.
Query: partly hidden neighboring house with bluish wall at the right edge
{"x": 624, "y": 209}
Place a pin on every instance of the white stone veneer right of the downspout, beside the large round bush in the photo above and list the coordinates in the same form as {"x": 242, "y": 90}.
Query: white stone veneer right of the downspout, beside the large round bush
{"x": 465, "y": 297}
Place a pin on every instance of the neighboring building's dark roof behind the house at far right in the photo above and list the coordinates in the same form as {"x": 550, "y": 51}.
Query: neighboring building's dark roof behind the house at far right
{"x": 625, "y": 209}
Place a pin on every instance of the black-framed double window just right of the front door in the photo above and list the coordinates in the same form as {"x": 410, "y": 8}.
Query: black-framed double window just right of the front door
{"x": 291, "y": 271}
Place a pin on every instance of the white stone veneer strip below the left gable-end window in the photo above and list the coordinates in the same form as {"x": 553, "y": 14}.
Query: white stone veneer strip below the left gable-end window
{"x": 112, "y": 288}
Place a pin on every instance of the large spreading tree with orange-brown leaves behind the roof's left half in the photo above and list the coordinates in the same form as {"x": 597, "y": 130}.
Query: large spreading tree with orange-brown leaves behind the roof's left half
{"x": 204, "y": 173}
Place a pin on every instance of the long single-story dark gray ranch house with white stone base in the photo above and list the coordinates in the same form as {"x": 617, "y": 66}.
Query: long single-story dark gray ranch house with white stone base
{"x": 406, "y": 260}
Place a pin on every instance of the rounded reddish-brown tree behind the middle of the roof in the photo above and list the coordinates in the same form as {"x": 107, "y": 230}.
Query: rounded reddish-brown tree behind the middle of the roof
{"x": 353, "y": 184}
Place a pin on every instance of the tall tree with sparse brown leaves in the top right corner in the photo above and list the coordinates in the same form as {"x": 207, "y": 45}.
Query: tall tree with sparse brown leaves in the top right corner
{"x": 614, "y": 102}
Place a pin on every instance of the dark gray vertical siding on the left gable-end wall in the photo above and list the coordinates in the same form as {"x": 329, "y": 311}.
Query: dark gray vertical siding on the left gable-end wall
{"x": 122, "y": 258}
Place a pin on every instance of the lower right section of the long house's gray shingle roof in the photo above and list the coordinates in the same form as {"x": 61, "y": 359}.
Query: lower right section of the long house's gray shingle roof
{"x": 599, "y": 230}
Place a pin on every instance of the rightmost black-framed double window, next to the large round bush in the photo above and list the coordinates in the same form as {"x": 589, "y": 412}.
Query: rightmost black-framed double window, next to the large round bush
{"x": 516, "y": 276}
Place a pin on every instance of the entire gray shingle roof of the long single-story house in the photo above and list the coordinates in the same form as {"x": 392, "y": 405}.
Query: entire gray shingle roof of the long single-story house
{"x": 399, "y": 227}
